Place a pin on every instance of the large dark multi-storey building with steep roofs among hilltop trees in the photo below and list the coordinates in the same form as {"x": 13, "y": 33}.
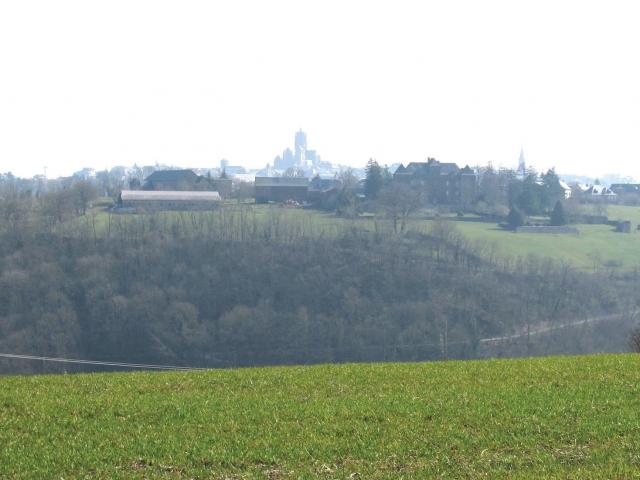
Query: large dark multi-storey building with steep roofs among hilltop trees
{"x": 445, "y": 183}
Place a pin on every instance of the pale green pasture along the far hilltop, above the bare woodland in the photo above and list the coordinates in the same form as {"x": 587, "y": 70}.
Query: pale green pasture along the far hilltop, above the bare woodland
{"x": 596, "y": 247}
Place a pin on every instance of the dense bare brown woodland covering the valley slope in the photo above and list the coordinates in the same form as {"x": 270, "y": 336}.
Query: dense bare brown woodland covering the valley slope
{"x": 230, "y": 288}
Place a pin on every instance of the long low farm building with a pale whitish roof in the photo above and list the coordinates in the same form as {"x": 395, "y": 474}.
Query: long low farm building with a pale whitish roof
{"x": 168, "y": 200}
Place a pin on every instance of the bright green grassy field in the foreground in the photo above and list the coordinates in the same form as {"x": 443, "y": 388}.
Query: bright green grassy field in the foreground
{"x": 540, "y": 418}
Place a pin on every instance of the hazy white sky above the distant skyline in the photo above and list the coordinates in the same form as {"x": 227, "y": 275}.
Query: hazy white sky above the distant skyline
{"x": 88, "y": 83}
